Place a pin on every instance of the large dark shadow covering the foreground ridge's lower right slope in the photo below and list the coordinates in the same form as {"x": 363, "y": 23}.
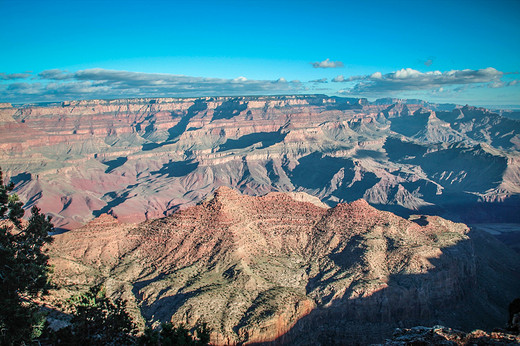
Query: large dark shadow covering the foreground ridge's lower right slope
{"x": 470, "y": 287}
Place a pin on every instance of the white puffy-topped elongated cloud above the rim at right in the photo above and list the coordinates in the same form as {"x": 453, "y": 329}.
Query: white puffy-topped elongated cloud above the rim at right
{"x": 410, "y": 79}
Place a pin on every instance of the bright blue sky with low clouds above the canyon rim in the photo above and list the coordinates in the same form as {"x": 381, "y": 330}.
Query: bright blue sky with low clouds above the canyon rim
{"x": 441, "y": 51}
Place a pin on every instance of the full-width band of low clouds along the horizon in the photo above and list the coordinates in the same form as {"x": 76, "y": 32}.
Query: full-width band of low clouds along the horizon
{"x": 97, "y": 83}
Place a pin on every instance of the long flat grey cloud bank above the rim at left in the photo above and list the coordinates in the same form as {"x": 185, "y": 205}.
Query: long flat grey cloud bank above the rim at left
{"x": 101, "y": 83}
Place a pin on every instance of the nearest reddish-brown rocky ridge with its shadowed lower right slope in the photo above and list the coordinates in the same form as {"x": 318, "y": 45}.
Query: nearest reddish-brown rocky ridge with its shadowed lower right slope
{"x": 260, "y": 269}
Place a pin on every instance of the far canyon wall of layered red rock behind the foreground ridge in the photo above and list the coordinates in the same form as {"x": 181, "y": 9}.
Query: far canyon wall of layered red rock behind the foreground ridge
{"x": 139, "y": 159}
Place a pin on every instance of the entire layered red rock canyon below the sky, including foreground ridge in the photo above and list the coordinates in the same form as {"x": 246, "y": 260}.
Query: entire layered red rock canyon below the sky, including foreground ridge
{"x": 301, "y": 219}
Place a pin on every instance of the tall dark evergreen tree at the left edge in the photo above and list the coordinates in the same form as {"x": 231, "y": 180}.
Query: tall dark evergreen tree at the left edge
{"x": 24, "y": 268}
